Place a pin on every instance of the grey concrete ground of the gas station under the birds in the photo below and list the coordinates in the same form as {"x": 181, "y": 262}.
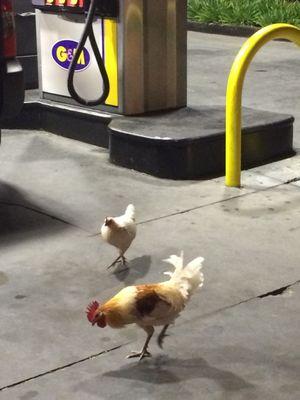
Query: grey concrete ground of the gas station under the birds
{"x": 239, "y": 336}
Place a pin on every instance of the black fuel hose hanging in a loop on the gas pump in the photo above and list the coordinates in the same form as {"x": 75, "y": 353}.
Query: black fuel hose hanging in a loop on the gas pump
{"x": 88, "y": 33}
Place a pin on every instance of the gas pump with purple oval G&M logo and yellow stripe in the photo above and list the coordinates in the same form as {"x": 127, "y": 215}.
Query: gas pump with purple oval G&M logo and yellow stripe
{"x": 121, "y": 56}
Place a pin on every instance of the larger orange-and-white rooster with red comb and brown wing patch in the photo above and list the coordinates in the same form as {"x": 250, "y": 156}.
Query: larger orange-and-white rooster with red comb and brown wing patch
{"x": 150, "y": 305}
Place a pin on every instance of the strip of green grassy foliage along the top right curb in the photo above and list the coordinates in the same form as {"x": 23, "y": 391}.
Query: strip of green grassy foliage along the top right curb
{"x": 245, "y": 12}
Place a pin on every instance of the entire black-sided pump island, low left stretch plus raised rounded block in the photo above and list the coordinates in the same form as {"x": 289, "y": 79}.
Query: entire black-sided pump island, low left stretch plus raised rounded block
{"x": 188, "y": 143}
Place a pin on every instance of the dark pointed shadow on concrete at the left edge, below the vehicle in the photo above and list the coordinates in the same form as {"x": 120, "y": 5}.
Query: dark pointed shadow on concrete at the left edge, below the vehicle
{"x": 21, "y": 218}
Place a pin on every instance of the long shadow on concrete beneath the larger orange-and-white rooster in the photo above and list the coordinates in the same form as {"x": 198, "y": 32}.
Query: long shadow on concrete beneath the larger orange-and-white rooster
{"x": 163, "y": 369}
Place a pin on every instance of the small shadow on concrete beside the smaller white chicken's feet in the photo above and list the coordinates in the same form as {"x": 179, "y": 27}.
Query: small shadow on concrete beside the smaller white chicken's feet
{"x": 137, "y": 268}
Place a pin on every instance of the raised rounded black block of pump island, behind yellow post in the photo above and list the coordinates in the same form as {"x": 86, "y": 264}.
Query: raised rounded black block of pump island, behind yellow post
{"x": 189, "y": 143}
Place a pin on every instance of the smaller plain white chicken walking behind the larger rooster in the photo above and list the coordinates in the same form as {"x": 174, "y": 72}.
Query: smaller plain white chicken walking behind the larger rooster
{"x": 120, "y": 232}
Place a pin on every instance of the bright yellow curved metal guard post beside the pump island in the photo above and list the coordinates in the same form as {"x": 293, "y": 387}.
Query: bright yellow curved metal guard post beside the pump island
{"x": 234, "y": 93}
